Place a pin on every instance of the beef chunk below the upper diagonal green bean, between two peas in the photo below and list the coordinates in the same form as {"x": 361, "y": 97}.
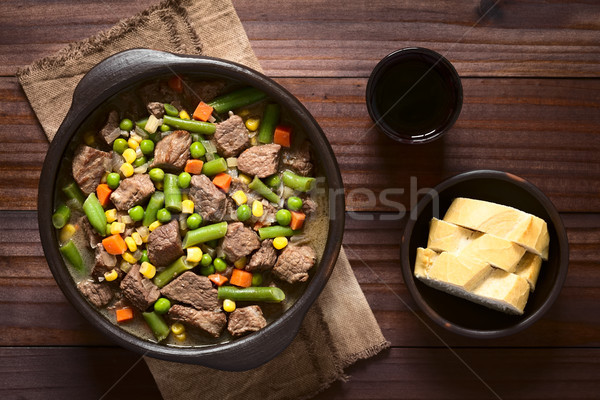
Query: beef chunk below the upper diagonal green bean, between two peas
{"x": 172, "y": 152}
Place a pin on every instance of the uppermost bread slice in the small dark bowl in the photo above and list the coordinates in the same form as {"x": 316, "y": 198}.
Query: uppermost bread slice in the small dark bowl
{"x": 505, "y": 222}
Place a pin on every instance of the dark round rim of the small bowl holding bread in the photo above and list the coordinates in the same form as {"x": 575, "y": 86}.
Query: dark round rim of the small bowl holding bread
{"x": 555, "y": 219}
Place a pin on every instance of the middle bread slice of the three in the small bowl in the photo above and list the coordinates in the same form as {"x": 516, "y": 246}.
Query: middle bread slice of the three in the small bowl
{"x": 468, "y": 245}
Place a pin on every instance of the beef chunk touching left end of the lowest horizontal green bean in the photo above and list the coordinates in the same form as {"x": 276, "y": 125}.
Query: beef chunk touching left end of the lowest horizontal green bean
{"x": 192, "y": 289}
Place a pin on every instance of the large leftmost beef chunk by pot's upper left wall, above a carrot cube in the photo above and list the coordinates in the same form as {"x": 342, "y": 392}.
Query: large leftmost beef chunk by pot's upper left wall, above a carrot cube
{"x": 89, "y": 166}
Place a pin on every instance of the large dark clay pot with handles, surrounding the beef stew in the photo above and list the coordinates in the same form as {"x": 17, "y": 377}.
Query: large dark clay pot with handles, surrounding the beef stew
{"x": 114, "y": 75}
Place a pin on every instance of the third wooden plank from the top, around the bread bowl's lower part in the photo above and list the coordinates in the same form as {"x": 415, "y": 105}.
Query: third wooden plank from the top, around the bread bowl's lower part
{"x": 35, "y": 312}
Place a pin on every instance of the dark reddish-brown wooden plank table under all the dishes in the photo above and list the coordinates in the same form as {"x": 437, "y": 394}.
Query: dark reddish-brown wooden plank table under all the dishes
{"x": 531, "y": 76}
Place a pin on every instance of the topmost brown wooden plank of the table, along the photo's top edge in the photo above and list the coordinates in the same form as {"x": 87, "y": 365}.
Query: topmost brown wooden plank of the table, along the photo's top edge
{"x": 320, "y": 38}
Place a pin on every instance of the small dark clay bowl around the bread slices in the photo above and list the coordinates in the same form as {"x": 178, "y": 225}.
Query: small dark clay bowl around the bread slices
{"x": 461, "y": 316}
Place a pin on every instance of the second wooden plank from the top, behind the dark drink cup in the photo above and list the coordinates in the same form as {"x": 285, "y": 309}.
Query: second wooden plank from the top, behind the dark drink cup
{"x": 543, "y": 130}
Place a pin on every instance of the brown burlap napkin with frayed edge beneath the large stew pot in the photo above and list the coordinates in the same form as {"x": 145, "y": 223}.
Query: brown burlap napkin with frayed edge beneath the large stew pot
{"x": 338, "y": 330}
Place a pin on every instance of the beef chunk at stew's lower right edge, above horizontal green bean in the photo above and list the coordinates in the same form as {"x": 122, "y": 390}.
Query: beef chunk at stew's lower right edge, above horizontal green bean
{"x": 294, "y": 262}
